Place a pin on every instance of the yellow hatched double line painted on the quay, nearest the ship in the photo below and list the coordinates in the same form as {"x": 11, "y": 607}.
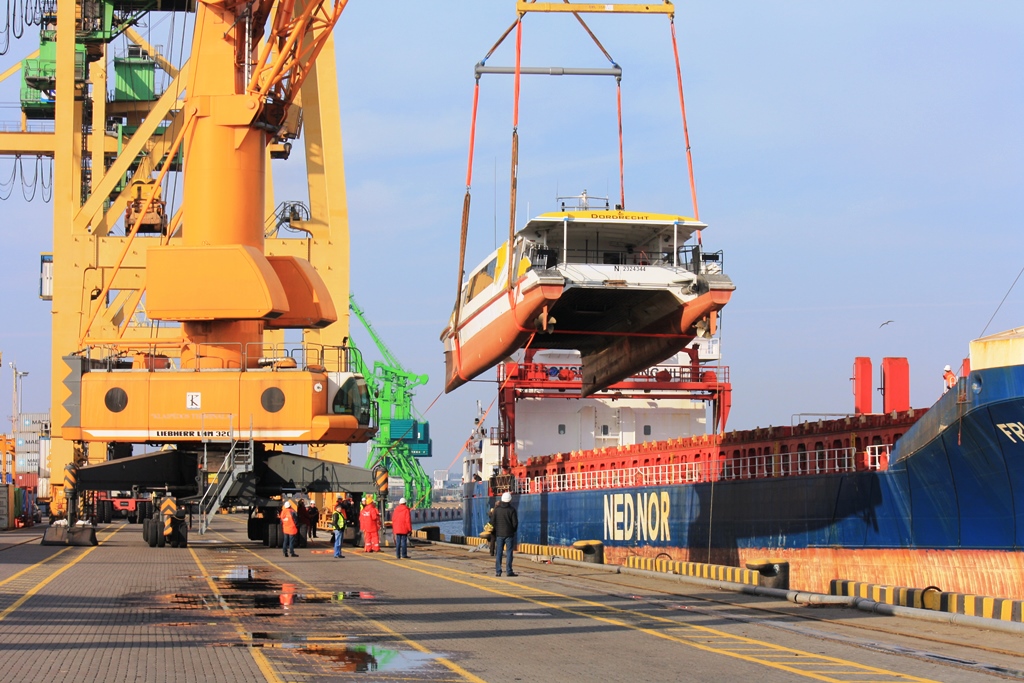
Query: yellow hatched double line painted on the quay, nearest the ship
{"x": 821, "y": 660}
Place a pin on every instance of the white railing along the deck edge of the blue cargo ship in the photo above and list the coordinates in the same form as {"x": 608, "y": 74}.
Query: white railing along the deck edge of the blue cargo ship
{"x": 824, "y": 461}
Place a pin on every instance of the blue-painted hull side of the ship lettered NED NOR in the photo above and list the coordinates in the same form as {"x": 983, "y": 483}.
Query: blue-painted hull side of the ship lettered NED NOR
{"x": 956, "y": 483}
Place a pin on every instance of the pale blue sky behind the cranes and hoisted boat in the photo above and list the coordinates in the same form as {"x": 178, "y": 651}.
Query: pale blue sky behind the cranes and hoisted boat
{"x": 858, "y": 163}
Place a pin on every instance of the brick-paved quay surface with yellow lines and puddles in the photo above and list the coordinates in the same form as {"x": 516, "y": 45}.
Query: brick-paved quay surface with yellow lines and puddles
{"x": 228, "y": 610}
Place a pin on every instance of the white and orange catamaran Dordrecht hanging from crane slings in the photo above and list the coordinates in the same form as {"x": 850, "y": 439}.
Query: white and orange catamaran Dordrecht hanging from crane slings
{"x": 627, "y": 289}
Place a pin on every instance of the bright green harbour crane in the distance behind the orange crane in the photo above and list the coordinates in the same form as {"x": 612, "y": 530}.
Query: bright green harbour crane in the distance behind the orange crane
{"x": 402, "y": 438}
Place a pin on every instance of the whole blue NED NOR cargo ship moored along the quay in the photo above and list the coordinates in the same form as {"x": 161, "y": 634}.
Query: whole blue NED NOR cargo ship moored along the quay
{"x": 908, "y": 497}
